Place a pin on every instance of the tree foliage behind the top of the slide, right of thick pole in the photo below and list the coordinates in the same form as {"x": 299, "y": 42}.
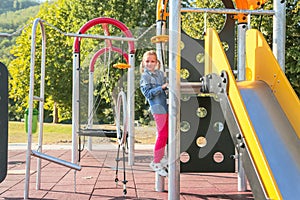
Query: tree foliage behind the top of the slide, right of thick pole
{"x": 193, "y": 24}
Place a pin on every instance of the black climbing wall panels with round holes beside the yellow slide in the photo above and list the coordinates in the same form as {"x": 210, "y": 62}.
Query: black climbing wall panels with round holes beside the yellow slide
{"x": 206, "y": 144}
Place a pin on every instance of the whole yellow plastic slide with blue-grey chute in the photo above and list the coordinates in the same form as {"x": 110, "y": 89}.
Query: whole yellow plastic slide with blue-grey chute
{"x": 267, "y": 109}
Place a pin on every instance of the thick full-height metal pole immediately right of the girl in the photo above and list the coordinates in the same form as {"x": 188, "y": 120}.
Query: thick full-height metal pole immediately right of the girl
{"x": 174, "y": 101}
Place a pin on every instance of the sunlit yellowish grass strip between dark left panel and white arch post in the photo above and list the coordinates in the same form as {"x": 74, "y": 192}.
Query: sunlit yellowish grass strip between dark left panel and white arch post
{"x": 53, "y": 133}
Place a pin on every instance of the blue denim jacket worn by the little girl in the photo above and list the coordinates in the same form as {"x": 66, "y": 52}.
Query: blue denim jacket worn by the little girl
{"x": 151, "y": 83}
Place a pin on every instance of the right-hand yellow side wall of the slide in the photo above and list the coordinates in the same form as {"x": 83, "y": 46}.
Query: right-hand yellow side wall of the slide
{"x": 262, "y": 65}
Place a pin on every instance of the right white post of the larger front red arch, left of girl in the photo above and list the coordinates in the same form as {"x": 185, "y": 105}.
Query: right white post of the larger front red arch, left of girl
{"x": 130, "y": 111}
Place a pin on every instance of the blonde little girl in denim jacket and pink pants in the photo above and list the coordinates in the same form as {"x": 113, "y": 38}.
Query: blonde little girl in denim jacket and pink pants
{"x": 153, "y": 88}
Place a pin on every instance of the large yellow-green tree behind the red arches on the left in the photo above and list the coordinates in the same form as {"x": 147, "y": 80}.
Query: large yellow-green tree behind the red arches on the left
{"x": 68, "y": 16}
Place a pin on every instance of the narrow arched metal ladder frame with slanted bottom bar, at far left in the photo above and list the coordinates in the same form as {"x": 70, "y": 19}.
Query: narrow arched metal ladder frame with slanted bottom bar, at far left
{"x": 38, "y": 153}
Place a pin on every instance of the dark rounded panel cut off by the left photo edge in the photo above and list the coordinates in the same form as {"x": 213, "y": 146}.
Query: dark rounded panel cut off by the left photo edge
{"x": 3, "y": 120}
